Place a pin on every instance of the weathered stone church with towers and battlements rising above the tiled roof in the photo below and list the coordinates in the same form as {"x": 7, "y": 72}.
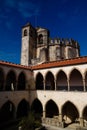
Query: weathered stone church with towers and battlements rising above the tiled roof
{"x": 38, "y": 47}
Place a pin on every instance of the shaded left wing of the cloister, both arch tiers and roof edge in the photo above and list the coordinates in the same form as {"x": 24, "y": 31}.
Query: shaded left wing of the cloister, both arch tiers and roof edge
{"x": 14, "y": 92}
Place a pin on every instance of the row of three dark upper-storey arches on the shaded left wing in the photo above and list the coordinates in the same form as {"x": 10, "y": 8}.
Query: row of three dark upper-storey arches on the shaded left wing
{"x": 11, "y": 82}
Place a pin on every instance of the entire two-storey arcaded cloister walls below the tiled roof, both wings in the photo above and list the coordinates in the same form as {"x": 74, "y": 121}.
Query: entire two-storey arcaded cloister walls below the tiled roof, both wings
{"x": 59, "y": 93}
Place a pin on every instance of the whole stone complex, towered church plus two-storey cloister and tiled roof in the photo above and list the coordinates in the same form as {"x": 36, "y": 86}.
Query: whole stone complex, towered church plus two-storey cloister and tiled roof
{"x": 50, "y": 80}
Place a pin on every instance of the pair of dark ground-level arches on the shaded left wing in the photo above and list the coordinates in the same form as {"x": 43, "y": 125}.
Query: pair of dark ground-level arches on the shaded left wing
{"x": 9, "y": 111}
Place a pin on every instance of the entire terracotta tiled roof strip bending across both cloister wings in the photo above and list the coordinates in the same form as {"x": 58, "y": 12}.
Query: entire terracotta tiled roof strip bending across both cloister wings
{"x": 67, "y": 62}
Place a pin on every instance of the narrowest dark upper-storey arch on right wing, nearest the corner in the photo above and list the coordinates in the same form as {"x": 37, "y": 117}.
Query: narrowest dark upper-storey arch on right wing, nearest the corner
{"x": 39, "y": 82}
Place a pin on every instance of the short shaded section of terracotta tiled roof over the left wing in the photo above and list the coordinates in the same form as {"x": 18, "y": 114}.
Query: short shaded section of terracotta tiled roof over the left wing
{"x": 14, "y": 65}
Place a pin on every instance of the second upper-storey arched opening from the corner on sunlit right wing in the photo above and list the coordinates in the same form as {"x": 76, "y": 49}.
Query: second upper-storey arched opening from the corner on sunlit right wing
{"x": 50, "y": 85}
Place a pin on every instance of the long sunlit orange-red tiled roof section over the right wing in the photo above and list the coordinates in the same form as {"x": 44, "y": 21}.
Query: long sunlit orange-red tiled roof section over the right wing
{"x": 67, "y": 62}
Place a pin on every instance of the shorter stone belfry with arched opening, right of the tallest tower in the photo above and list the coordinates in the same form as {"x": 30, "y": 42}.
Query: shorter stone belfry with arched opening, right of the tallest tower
{"x": 42, "y": 44}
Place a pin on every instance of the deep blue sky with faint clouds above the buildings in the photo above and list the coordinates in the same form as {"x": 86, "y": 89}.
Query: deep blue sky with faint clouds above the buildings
{"x": 64, "y": 19}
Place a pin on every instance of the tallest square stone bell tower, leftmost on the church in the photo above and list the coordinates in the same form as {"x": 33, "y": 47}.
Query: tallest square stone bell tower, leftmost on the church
{"x": 28, "y": 49}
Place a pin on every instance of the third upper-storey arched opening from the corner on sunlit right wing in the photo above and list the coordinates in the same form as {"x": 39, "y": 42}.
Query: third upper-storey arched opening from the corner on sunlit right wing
{"x": 61, "y": 81}
